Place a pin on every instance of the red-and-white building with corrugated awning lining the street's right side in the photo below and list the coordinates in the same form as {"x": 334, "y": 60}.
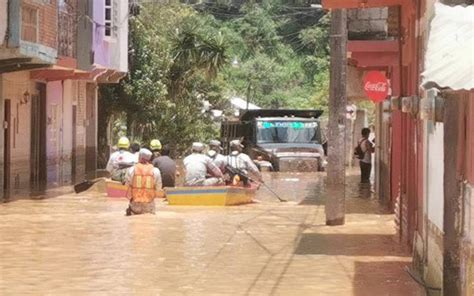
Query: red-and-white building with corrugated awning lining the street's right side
{"x": 424, "y": 128}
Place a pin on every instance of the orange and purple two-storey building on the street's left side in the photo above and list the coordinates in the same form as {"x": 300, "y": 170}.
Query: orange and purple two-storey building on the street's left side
{"x": 48, "y": 90}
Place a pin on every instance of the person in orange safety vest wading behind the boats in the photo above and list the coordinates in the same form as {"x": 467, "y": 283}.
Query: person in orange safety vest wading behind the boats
{"x": 144, "y": 179}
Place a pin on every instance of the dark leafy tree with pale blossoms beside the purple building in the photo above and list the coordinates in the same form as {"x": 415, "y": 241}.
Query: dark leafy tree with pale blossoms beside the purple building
{"x": 173, "y": 65}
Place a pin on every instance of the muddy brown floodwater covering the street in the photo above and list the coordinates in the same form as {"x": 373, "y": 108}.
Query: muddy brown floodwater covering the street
{"x": 83, "y": 244}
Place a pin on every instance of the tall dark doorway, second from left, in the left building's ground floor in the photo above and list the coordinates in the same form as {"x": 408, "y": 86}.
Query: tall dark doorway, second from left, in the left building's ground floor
{"x": 38, "y": 175}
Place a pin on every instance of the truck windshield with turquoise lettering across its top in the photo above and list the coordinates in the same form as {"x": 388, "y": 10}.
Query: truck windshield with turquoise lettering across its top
{"x": 288, "y": 132}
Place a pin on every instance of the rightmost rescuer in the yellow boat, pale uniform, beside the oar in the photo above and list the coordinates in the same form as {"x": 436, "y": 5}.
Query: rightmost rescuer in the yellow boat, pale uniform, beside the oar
{"x": 241, "y": 161}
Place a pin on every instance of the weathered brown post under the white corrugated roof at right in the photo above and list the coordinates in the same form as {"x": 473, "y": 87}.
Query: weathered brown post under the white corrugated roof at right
{"x": 456, "y": 257}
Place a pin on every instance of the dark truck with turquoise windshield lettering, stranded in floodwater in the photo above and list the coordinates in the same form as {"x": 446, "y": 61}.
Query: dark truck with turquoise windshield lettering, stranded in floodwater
{"x": 289, "y": 139}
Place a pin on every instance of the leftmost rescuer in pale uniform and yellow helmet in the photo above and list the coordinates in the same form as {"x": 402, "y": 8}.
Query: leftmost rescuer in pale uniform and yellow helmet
{"x": 120, "y": 161}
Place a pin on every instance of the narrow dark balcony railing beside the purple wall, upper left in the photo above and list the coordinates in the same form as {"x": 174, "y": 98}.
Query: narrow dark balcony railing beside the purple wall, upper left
{"x": 67, "y": 34}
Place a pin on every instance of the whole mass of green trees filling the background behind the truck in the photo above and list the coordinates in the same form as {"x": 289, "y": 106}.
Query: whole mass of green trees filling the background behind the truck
{"x": 184, "y": 59}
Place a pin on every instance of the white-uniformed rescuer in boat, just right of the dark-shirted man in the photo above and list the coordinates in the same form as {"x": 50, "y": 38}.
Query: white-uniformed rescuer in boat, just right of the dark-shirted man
{"x": 198, "y": 166}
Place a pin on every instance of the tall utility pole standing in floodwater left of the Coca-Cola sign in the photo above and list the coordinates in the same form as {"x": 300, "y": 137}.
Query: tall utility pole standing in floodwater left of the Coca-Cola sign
{"x": 336, "y": 170}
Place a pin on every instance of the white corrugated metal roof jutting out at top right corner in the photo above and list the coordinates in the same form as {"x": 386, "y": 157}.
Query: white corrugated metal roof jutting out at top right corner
{"x": 449, "y": 60}
